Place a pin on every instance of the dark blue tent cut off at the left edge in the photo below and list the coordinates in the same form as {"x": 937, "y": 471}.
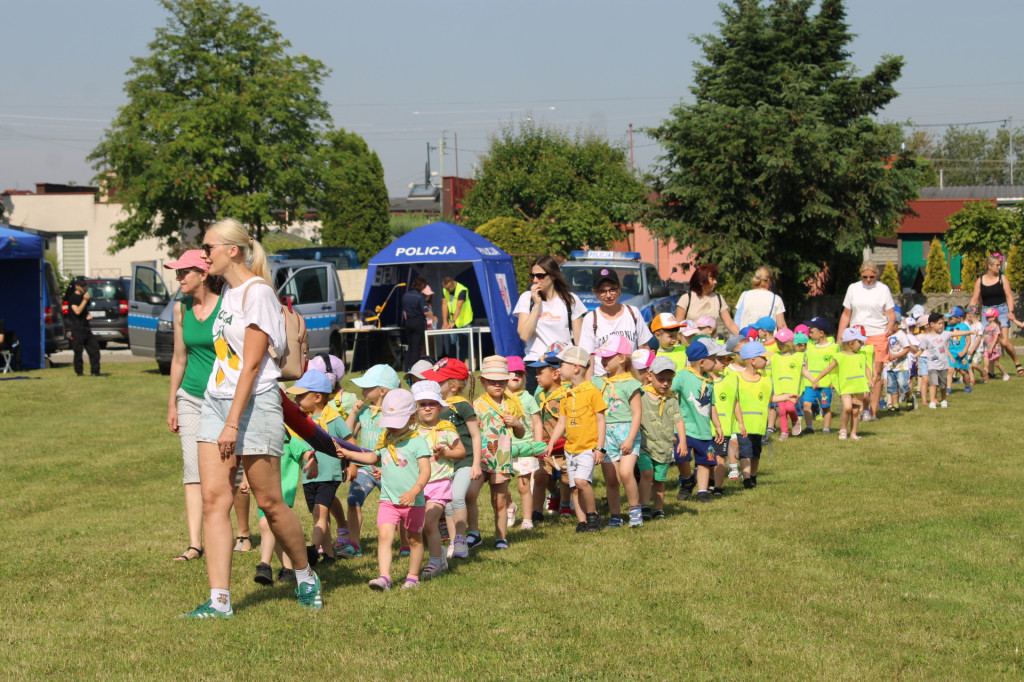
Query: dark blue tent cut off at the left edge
{"x": 22, "y": 293}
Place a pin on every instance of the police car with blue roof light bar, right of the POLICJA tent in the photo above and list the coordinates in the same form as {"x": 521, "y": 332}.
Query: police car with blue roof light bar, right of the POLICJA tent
{"x": 643, "y": 287}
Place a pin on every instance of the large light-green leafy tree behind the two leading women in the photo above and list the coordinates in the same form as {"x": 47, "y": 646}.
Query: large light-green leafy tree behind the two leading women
{"x": 221, "y": 121}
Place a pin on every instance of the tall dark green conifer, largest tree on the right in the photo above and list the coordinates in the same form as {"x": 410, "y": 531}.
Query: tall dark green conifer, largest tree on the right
{"x": 780, "y": 160}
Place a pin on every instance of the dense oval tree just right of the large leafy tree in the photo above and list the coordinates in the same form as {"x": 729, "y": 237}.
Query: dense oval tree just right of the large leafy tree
{"x": 354, "y": 200}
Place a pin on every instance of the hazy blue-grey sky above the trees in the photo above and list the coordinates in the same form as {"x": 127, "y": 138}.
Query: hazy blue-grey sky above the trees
{"x": 404, "y": 74}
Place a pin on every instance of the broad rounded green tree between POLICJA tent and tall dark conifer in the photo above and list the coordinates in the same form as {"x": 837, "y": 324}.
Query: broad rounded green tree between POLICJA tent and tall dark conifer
{"x": 580, "y": 187}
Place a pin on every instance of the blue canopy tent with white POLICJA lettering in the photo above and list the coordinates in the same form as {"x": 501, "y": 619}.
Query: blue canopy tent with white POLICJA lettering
{"x": 440, "y": 250}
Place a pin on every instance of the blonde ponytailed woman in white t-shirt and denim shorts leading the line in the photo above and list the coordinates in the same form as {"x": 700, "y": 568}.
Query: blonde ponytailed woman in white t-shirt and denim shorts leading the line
{"x": 242, "y": 420}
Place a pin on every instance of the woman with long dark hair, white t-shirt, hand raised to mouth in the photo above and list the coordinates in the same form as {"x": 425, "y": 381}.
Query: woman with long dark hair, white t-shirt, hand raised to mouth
{"x": 548, "y": 314}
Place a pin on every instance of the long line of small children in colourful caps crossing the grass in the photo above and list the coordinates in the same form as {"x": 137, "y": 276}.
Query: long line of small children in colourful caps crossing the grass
{"x": 707, "y": 407}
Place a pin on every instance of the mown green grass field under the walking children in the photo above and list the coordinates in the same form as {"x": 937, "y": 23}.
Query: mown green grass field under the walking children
{"x": 897, "y": 558}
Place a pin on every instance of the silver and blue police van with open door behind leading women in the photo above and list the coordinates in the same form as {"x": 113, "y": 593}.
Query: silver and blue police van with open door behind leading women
{"x": 313, "y": 287}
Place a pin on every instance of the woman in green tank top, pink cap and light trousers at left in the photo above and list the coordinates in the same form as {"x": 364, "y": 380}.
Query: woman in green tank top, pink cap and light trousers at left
{"x": 191, "y": 368}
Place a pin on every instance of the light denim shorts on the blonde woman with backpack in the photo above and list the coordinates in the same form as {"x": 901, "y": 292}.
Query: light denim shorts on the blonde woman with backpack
{"x": 262, "y": 428}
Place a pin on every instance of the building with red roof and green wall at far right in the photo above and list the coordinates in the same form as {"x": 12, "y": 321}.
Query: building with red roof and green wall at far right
{"x": 933, "y": 210}
